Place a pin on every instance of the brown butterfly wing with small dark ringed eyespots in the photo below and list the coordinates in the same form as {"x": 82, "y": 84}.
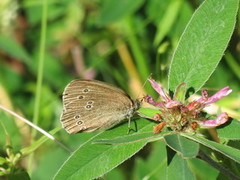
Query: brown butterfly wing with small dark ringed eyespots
{"x": 90, "y": 105}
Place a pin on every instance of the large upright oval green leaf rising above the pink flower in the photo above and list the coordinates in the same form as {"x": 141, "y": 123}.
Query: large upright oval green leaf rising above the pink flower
{"x": 203, "y": 43}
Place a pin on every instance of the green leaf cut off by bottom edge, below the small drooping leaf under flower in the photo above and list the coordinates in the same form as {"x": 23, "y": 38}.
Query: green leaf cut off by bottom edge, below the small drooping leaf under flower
{"x": 178, "y": 169}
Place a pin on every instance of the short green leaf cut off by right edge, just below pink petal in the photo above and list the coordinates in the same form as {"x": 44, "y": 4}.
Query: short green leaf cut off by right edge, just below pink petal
{"x": 230, "y": 131}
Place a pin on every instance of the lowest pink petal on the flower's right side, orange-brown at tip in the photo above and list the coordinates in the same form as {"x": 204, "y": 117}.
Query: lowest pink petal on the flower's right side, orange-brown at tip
{"x": 221, "y": 119}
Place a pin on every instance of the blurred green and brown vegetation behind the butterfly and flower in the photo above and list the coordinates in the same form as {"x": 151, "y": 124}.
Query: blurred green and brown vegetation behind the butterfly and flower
{"x": 120, "y": 42}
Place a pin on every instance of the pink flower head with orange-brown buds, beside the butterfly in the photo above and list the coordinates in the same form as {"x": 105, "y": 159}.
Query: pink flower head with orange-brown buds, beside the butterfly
{"x": 179, "y": 117}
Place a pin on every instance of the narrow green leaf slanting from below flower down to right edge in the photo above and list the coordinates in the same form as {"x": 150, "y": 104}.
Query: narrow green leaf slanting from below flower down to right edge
{"x": 228, "y": 151}
